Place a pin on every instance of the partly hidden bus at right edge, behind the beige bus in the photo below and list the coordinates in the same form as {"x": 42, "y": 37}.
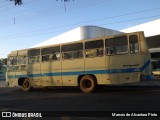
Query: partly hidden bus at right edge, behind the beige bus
{"x": 155, "y": 60}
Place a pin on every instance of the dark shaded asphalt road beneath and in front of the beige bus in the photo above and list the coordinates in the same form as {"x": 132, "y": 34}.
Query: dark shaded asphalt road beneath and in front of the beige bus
{"x": 143, "y": 96}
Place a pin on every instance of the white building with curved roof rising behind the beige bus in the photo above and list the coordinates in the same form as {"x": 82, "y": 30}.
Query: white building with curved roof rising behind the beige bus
{"x": 151, "y": 30}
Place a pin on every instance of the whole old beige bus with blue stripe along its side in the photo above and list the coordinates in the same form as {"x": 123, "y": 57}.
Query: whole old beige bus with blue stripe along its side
{"x": 116, "y": 59}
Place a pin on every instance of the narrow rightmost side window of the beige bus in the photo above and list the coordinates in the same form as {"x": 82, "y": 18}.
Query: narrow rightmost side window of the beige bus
{"x": 133, "y": 43}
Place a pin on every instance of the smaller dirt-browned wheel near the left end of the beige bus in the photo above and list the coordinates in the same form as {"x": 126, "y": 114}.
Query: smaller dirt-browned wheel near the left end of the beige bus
{"x": 26, "y": 86}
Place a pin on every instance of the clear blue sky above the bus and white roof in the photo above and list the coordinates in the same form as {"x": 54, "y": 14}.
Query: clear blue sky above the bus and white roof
{"x": 36, "y": 21}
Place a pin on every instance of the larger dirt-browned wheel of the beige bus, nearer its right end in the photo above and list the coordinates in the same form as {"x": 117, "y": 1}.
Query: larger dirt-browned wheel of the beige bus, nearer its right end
{"x": 88, "y": 84}
